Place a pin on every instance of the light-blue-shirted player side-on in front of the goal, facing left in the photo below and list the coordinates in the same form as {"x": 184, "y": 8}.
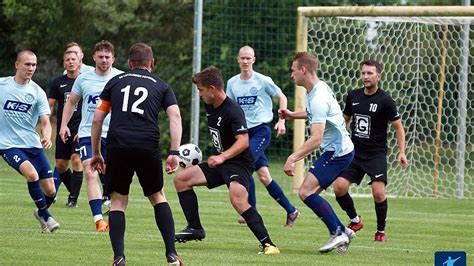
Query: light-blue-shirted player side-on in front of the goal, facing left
{"x": 327, "y": 132}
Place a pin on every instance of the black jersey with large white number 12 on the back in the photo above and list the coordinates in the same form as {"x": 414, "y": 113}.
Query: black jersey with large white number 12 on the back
{"x": 136, "y": 98}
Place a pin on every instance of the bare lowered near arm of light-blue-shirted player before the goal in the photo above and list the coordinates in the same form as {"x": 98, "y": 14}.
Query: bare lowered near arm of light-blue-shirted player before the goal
{"x": 312, "y": 143}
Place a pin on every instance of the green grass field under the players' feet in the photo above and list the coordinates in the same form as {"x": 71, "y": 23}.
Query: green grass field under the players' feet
{"x": 416, "y": 229}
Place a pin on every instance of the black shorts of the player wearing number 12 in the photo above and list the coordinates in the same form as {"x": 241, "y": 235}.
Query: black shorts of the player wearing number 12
{"x": 121, "y": 164}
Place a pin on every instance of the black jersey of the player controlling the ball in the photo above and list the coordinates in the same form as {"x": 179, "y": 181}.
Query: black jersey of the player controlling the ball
{"x": 224, "y": 123}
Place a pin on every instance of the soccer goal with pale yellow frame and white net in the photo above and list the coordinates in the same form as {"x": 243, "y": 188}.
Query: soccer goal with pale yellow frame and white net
{"x": 427, "y": 53}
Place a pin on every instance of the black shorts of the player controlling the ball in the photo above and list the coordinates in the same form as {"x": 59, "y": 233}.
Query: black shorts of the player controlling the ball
{"x": 227, "y": 172}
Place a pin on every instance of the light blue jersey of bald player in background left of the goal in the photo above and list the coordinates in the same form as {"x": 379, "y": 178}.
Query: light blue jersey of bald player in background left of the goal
{"x": 254, "y": 96}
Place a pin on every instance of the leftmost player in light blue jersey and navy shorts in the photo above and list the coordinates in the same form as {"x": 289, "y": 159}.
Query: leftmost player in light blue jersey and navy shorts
{"x": 23, "y": 102}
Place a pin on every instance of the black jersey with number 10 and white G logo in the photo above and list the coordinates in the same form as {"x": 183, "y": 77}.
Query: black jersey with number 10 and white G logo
{"x": 370, "y": 117}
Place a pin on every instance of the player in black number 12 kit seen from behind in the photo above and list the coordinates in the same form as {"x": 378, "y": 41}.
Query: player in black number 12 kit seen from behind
{"x": 135, "y": 99}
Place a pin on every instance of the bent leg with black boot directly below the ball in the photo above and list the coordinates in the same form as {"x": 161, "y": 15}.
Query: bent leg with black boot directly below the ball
{"x": 184, "y": 183}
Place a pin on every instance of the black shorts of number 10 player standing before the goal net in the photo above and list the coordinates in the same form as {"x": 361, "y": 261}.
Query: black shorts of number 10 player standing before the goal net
{"x": 375, "y": 166}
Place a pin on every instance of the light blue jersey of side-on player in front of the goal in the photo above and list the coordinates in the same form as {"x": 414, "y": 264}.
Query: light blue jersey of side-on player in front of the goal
{"x": 322, "y": 107}
